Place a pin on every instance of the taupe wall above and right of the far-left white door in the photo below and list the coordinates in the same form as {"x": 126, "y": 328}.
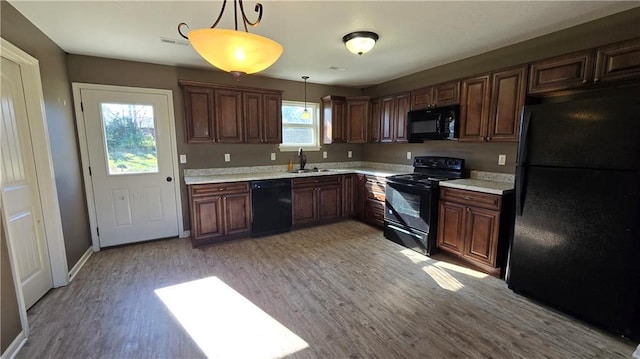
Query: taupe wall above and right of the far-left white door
{"x": 61, "y": 125}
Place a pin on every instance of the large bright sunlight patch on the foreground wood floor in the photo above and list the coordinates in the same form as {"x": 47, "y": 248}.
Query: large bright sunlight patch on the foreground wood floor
{"x": 225, "y": 324}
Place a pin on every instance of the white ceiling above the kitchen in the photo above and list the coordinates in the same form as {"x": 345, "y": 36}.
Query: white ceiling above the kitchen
{"x": 414, "y": 35}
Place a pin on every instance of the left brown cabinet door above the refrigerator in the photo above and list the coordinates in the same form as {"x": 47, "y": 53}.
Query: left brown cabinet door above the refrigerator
{"x": 561, "y": 73}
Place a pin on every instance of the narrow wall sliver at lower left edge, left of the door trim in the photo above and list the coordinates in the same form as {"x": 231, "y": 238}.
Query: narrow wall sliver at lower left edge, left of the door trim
{"x": 10, "y": 325}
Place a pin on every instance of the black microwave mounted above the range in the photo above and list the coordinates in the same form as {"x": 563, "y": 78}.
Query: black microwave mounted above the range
{"x": 440, "y": 123}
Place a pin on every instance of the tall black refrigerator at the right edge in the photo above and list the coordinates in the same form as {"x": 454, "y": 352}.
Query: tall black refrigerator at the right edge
{"x": 576, "y": 241}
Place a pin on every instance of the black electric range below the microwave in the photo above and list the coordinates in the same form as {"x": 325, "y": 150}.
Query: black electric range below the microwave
{"x": 411, "y": 205}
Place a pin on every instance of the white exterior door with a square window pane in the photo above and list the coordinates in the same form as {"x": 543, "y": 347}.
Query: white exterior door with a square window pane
{"x": 132, "y": 170}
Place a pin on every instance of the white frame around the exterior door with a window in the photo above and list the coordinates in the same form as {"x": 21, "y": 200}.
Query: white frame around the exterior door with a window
{"x": 84, "y": 149}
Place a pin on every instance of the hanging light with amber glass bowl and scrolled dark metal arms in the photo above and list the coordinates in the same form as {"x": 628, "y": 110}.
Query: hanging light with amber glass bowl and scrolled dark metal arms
{"x": 233, "y": 51}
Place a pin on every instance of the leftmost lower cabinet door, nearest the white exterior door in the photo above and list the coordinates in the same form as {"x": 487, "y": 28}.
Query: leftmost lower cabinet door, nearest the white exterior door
{"x": 207, "y": 218}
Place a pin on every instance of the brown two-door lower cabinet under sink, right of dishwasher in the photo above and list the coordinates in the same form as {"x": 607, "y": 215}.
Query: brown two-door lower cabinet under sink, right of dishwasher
{"x": 316, "y": 200}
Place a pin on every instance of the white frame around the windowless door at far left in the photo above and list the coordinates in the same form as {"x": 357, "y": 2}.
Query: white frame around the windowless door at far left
{"x": 34, "y": 101}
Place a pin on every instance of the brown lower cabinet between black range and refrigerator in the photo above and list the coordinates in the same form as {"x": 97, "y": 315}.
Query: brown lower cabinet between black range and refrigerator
{"x": 474, "y": 226}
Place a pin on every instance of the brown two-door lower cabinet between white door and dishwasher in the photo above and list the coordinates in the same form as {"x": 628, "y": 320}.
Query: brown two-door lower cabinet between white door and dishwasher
{"x": 219, "y": 212}
